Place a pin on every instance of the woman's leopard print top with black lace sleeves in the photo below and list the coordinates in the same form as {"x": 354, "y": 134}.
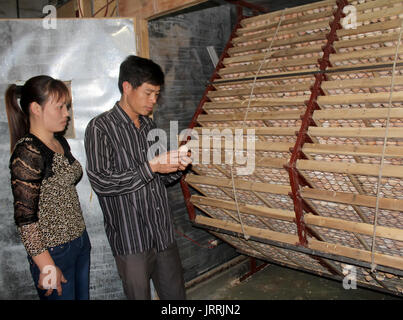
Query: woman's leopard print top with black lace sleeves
{"x": 47, "y": 210}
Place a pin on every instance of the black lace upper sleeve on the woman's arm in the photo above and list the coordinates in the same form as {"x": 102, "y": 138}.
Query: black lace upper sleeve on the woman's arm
{"x": 27, "y": 167}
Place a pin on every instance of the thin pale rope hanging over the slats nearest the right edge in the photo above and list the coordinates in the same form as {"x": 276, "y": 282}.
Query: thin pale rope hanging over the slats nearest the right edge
{"x": 373, "y": 264}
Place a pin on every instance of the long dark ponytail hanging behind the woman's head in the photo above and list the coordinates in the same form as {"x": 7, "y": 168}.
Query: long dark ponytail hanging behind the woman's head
{"x": 18, "y": 120}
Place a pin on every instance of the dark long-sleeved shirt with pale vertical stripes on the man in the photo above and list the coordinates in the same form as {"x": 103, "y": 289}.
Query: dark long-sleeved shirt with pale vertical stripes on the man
{"x": 133, "y": 199}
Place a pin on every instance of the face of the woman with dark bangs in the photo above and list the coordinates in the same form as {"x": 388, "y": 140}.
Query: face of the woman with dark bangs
{"x": 55, "y": 115}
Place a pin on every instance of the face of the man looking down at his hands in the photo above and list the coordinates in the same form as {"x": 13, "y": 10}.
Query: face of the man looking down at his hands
{"x": 142, "y": 99}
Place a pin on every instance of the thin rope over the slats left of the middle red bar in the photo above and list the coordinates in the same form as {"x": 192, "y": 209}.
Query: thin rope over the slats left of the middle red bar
{"x": 267, "y": 54}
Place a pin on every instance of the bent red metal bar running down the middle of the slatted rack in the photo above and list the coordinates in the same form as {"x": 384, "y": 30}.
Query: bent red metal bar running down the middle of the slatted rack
{"x": 316, "y": 91}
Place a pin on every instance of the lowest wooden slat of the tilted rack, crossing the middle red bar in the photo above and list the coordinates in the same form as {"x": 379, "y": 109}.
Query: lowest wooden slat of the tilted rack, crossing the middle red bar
{"x": 357, "y": 254}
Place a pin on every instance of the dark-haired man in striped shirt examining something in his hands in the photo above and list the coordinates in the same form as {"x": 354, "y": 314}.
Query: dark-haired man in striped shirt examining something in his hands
{"x": 131, "y": 187}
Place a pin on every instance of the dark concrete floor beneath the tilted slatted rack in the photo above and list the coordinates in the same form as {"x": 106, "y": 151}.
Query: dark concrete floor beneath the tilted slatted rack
{"x": 277, "y": 283}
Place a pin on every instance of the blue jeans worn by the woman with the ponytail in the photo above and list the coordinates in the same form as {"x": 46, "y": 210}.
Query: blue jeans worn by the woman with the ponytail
{"x": 73, "y": 259}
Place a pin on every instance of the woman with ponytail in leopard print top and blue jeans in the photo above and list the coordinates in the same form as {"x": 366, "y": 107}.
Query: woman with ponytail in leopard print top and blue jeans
{"x": 43, "y": 177}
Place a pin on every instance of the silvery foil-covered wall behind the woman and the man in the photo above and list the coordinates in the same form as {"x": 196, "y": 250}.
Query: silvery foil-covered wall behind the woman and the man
{"x": 88, "y": 53}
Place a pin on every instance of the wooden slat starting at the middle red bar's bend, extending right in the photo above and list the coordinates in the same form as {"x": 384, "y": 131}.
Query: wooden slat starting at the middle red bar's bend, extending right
{"x": 351, "y": 168}
